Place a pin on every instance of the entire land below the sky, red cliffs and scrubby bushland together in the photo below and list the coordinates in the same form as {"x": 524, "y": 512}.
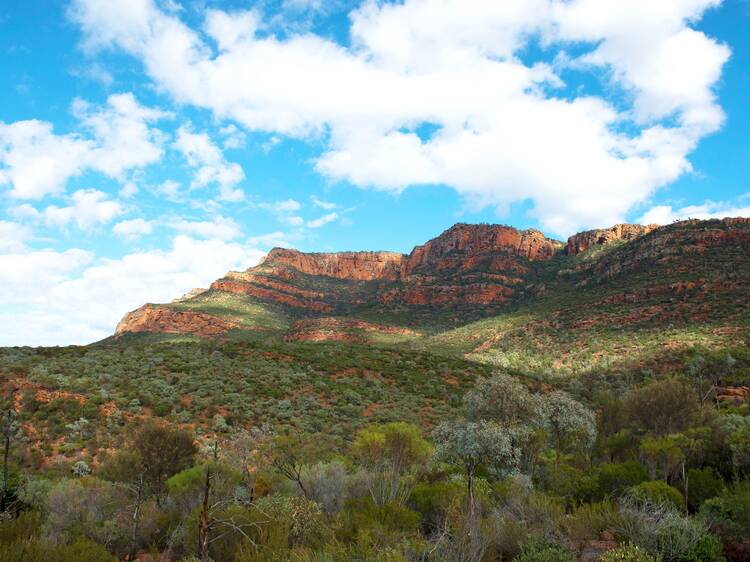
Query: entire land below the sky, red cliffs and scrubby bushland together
{"x": 286, "y": 383}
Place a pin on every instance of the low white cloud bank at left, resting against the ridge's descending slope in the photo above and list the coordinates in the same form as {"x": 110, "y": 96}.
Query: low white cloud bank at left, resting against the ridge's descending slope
{"x": 71, "y": 299}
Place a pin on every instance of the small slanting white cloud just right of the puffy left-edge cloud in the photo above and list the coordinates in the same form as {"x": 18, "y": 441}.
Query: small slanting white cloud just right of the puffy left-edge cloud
{"x": 211, "y": 166}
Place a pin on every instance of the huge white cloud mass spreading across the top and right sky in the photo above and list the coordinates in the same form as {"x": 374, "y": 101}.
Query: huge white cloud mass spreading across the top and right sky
{"x": 505, "y": 131}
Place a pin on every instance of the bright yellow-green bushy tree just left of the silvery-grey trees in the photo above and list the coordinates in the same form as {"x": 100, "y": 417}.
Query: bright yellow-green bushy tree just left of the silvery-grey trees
{"x": 393, "y": 453}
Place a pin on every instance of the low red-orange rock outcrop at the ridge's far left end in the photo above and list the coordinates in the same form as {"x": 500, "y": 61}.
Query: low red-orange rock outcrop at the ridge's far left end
{"x": 153, "y": 318}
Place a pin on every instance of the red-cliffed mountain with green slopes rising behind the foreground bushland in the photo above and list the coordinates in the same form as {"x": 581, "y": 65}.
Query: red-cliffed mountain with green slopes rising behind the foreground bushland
{"x": 495, "y": 293}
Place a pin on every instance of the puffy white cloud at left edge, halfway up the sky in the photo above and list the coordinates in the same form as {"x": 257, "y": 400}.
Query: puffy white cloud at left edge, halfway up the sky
{"x": 36, "y": 162}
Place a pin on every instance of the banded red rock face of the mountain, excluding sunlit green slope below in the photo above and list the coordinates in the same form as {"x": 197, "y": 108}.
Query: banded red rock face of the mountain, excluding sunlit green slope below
{"x": 691, "y": 269}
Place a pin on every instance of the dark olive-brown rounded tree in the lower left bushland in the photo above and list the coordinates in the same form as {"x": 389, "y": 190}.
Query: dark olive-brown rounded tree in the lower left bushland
{"x": 164, "y": 451}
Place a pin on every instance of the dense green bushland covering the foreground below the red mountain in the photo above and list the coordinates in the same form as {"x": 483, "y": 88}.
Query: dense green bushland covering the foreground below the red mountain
{"x": 515, "y": 469}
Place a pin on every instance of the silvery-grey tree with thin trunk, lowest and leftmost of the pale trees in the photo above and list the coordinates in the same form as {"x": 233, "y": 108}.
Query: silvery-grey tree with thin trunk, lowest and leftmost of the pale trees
{"x": 468, "y": 444}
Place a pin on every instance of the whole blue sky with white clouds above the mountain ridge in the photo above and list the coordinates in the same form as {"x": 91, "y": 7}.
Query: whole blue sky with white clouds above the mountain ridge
{"x": 147, "y": 147}
